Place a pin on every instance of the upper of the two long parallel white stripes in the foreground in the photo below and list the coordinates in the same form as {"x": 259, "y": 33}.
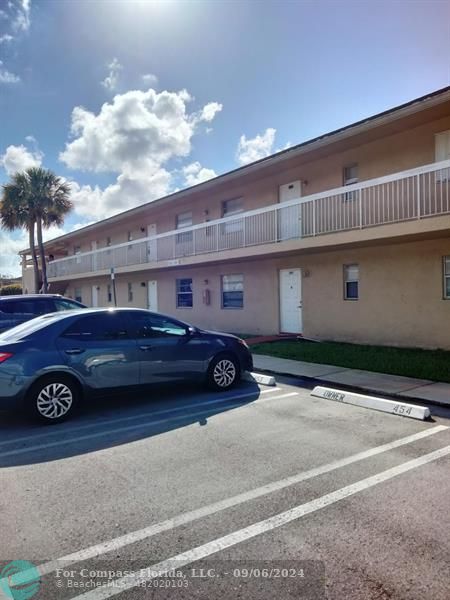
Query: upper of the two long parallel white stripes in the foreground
{"x": 205, "y": 511}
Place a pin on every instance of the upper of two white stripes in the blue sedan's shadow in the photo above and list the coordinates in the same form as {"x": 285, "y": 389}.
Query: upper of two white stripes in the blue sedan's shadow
{"x": 140, "y": 416}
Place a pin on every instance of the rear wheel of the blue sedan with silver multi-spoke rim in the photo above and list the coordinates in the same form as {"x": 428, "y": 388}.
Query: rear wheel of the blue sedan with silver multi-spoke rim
{"x": 53, "y": 399}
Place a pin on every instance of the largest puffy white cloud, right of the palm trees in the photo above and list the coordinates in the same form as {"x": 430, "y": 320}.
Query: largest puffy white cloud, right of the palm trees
{"x": 134, "y": 136}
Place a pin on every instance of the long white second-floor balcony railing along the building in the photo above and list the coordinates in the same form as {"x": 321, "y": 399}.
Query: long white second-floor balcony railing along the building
{"x": 409, "y": 195}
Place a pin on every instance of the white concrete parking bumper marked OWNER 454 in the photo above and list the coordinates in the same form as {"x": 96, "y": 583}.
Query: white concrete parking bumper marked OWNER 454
{"x": 390, "y": 406}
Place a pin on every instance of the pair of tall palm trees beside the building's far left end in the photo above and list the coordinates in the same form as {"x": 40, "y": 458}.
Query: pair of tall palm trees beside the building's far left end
{"x": 35, "y": 199}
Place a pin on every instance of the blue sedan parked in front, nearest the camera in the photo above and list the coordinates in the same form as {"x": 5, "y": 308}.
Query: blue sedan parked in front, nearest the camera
{"x": 49, "y": 364}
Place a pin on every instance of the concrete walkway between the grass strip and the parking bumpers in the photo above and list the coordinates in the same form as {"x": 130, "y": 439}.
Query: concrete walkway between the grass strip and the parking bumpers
{"x": 367, "y": 381}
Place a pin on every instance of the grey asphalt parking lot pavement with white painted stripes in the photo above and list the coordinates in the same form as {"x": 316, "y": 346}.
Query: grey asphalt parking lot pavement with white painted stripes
{"x": 253, "y": 493}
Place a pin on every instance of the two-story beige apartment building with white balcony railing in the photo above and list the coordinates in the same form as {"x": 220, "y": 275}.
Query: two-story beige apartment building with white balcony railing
{"x": 343, "y": 237}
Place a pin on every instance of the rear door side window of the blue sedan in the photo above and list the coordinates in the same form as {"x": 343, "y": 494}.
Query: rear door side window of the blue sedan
{"x": 105, "y": 326}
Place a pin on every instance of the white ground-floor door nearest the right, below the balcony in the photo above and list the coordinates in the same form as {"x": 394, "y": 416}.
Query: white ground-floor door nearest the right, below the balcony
{"x": 291, "y": 301}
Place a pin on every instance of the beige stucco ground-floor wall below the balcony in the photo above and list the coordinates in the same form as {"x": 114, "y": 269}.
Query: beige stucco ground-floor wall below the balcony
{"x": 401, "y": 295}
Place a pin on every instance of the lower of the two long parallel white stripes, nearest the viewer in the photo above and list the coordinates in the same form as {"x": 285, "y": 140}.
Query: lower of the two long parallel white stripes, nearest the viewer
{"x": 247, "y": 533}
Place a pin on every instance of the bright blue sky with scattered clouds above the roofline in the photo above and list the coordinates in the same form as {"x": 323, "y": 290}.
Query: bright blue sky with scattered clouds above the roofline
{"x": 131, "y": 100}
